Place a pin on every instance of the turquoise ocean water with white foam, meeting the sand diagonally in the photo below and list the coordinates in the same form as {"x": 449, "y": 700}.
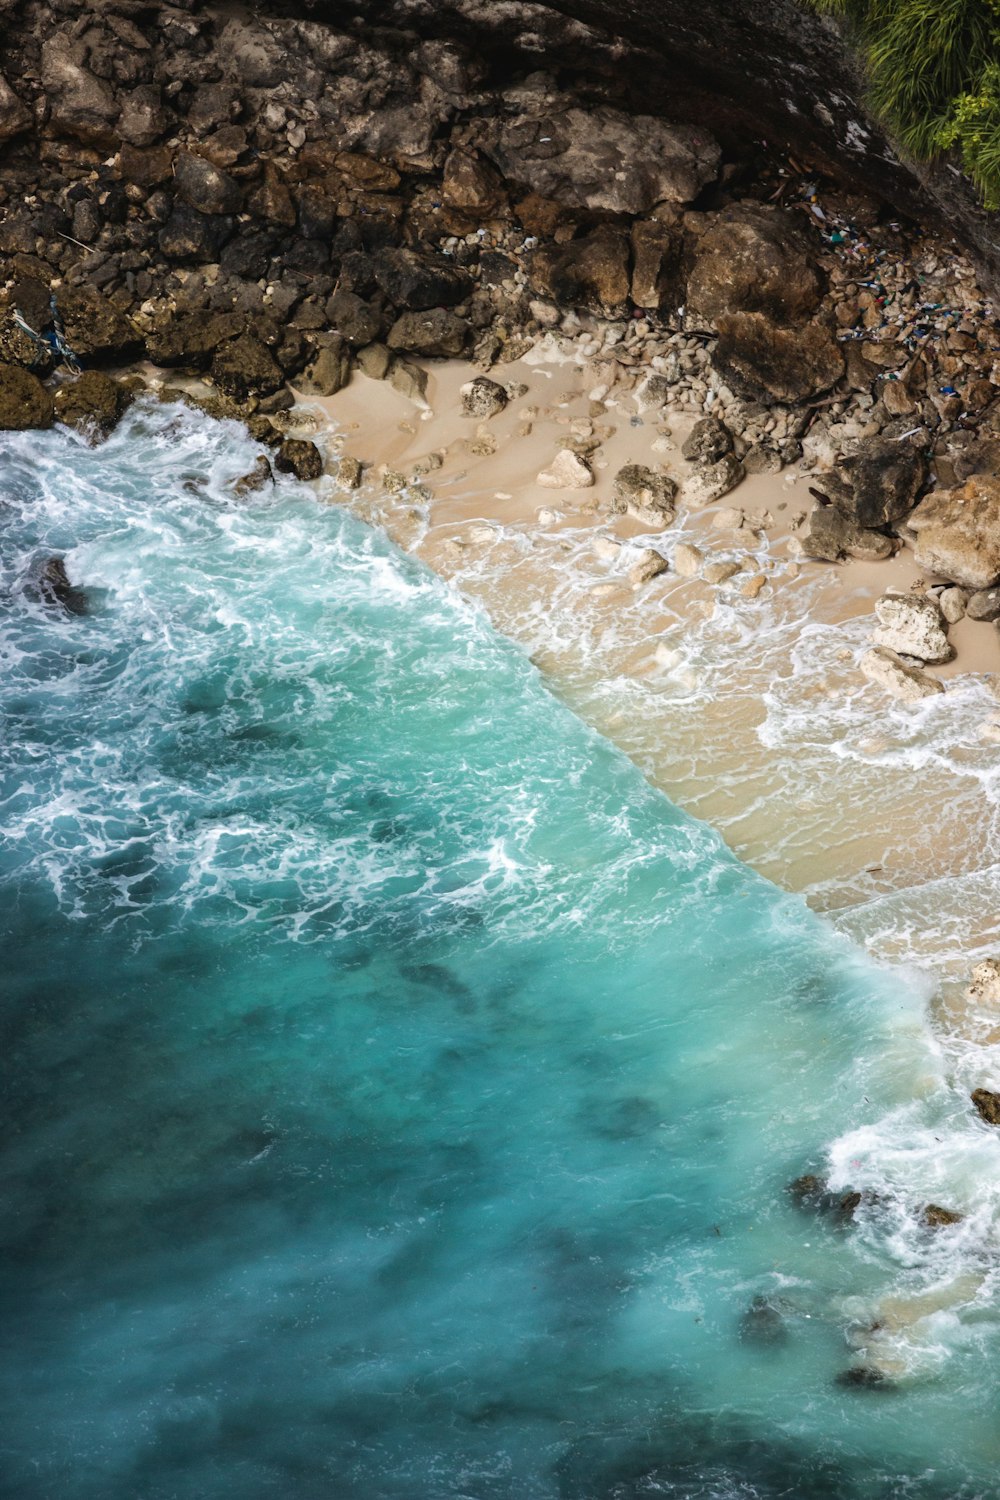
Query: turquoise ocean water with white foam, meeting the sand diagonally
{"x": 400, "y": 1093}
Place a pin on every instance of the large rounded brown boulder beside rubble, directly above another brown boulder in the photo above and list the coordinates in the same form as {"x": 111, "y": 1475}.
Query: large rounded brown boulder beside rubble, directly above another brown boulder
{"x": 752, "y": 259}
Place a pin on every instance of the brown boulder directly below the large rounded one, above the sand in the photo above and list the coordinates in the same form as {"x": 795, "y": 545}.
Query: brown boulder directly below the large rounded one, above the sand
{"x": 761, "y": 361}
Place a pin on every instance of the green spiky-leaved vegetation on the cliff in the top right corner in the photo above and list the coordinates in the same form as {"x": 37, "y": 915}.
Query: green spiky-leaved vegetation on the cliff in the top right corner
{"x": 935, "y": 77}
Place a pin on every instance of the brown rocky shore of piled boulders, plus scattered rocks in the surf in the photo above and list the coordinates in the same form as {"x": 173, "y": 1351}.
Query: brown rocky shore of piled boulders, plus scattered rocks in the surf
{"x": 250, "y": 214}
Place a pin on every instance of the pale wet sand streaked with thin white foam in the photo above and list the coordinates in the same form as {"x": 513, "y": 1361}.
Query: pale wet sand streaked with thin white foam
{"x": 743, "y": 701}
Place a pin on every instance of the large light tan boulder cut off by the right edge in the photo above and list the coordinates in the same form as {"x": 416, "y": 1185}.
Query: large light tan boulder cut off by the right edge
{"x": 959, "y": 533}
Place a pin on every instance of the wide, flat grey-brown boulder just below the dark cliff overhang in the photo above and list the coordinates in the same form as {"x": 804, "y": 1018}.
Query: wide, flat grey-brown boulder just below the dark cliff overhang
{"x": 603, "y": 160}
